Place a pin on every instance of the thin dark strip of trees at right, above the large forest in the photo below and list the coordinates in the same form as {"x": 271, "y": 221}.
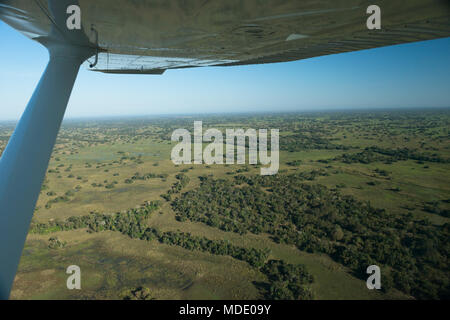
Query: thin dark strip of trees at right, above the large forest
{"x": 377, "y": 154}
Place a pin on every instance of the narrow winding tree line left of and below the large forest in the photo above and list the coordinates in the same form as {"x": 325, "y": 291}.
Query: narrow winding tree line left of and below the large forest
{"x": 286, "y": 281}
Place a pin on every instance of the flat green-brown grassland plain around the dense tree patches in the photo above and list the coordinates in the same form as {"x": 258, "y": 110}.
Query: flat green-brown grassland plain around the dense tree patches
{"x": 93, "y": 160}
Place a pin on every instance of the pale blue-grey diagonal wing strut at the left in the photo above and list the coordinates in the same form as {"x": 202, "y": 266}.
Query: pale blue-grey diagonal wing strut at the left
{"x": 24, "y": 161}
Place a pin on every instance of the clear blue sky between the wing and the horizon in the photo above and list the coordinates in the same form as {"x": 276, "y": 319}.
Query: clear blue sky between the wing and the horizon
{"x": 411, "y": 75}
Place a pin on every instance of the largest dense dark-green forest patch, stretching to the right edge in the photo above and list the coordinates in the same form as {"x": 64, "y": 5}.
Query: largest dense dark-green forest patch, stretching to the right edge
{"x": 414, "y": 253}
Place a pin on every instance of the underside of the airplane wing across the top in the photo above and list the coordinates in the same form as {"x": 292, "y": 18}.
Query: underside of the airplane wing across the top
{"x": 151, "y": 36}
